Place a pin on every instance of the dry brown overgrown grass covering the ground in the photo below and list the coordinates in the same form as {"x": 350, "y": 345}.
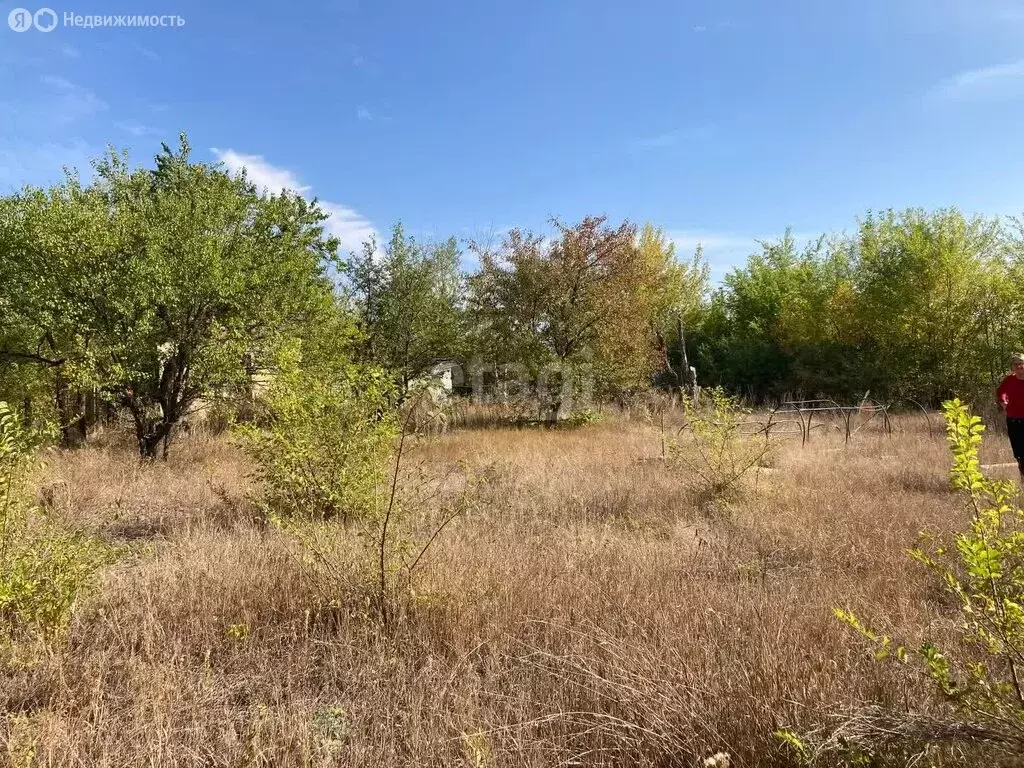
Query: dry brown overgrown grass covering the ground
{"x": 588, "y": 610}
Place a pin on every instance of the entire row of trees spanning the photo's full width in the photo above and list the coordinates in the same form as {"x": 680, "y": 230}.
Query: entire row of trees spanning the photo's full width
{"x": 151, "y": 290}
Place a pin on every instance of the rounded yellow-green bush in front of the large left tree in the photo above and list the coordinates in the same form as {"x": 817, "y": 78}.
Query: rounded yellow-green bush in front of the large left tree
{"x": 322, "y": 441}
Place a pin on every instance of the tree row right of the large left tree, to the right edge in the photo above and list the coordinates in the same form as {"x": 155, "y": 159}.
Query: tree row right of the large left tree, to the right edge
{"x": 914, "y": 308}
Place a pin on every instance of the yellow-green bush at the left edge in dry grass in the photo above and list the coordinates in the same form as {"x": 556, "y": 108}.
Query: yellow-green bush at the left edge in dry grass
{"x": 44, "y": 570}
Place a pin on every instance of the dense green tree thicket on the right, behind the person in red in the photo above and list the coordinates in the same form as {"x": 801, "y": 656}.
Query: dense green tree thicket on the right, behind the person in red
{"x": 914, "y": 307}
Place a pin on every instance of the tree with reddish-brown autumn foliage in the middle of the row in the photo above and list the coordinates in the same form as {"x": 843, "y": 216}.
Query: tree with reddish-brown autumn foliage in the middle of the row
{"x": 580, "y": 302}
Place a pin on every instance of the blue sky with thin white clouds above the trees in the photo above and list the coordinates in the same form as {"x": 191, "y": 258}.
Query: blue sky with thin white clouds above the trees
{"x": 723, "y": 121}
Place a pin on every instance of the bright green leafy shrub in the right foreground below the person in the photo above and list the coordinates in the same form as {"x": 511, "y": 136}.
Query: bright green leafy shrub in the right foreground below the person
{"x": 982, "y": 677}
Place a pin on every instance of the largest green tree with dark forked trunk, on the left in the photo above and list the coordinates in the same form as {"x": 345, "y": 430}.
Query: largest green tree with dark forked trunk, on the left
{"x": 158, "y": 287}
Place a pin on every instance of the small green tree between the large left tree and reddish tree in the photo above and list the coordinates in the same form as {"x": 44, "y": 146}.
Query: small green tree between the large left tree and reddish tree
{"x": 409, "y": 301}
